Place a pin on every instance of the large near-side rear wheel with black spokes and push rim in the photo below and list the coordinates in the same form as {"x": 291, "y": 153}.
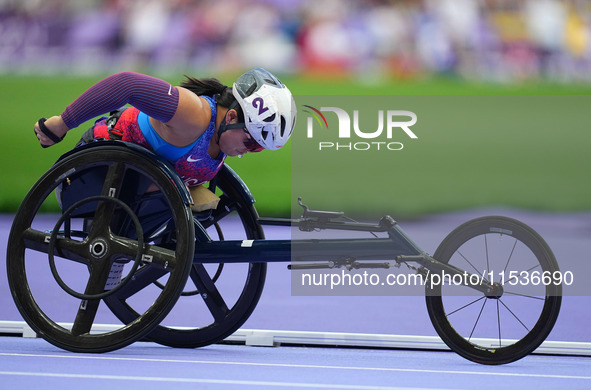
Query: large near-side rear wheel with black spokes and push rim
{"x": 96, "y": 187}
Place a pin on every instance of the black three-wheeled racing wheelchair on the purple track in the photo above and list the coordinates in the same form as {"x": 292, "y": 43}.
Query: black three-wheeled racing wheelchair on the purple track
{"x": 127, "y": 238}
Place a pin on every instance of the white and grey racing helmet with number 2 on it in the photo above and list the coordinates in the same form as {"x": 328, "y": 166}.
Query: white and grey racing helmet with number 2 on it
{"x": 268, "y": 106}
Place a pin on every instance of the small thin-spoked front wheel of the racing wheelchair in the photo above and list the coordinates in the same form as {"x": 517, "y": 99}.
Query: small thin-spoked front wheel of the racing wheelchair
{"x": 503, "y": 327}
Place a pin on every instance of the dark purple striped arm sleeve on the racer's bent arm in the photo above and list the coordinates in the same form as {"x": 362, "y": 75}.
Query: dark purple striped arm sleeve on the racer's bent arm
{"x": 155, "y": 97}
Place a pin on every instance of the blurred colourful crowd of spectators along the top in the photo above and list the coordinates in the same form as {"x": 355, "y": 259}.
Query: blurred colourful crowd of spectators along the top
{"x": 494, "y": 40}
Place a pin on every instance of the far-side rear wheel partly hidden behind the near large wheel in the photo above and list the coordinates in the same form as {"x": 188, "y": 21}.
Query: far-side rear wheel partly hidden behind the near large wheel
{"x": 218, "y": 298}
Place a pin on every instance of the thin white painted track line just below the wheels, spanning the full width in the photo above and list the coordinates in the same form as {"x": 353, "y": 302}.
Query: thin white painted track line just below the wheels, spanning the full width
{"x": 348, "y": 368}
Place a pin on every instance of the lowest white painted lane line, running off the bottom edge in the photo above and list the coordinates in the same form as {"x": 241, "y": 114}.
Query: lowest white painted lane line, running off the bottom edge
{"x": 290, "y": 385}
